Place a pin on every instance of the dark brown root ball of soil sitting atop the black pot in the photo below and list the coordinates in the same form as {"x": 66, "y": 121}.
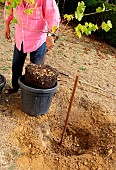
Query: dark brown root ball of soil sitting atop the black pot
{"x": 40, "y": 76}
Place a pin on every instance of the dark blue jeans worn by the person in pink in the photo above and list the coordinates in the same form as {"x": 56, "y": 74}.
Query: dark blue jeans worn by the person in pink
{"x": 18, "y": 61}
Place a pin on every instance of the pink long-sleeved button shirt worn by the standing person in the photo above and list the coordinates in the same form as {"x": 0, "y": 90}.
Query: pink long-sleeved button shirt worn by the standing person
{"x": 30, "y": 28}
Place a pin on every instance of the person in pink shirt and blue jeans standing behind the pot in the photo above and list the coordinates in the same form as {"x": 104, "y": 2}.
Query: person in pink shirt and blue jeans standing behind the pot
{"x": 30, "y": 33}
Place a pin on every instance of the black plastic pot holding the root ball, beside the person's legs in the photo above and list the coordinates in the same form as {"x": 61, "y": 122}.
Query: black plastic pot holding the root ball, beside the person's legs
{"x": 35, "y": 101}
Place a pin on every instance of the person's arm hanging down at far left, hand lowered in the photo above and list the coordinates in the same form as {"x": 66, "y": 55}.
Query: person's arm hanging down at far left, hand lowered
{"x": 7, "y": 20}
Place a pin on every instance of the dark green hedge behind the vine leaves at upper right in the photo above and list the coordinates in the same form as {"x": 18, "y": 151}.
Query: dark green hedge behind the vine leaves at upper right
{"x": 97, "y": 18}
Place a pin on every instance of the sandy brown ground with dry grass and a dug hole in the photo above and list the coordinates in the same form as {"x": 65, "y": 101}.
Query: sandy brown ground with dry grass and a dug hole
{"x": 32, "y": 142}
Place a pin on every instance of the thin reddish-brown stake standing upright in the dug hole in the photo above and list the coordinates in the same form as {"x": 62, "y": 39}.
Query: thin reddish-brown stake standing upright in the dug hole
{"x": 69, "y": 109}
